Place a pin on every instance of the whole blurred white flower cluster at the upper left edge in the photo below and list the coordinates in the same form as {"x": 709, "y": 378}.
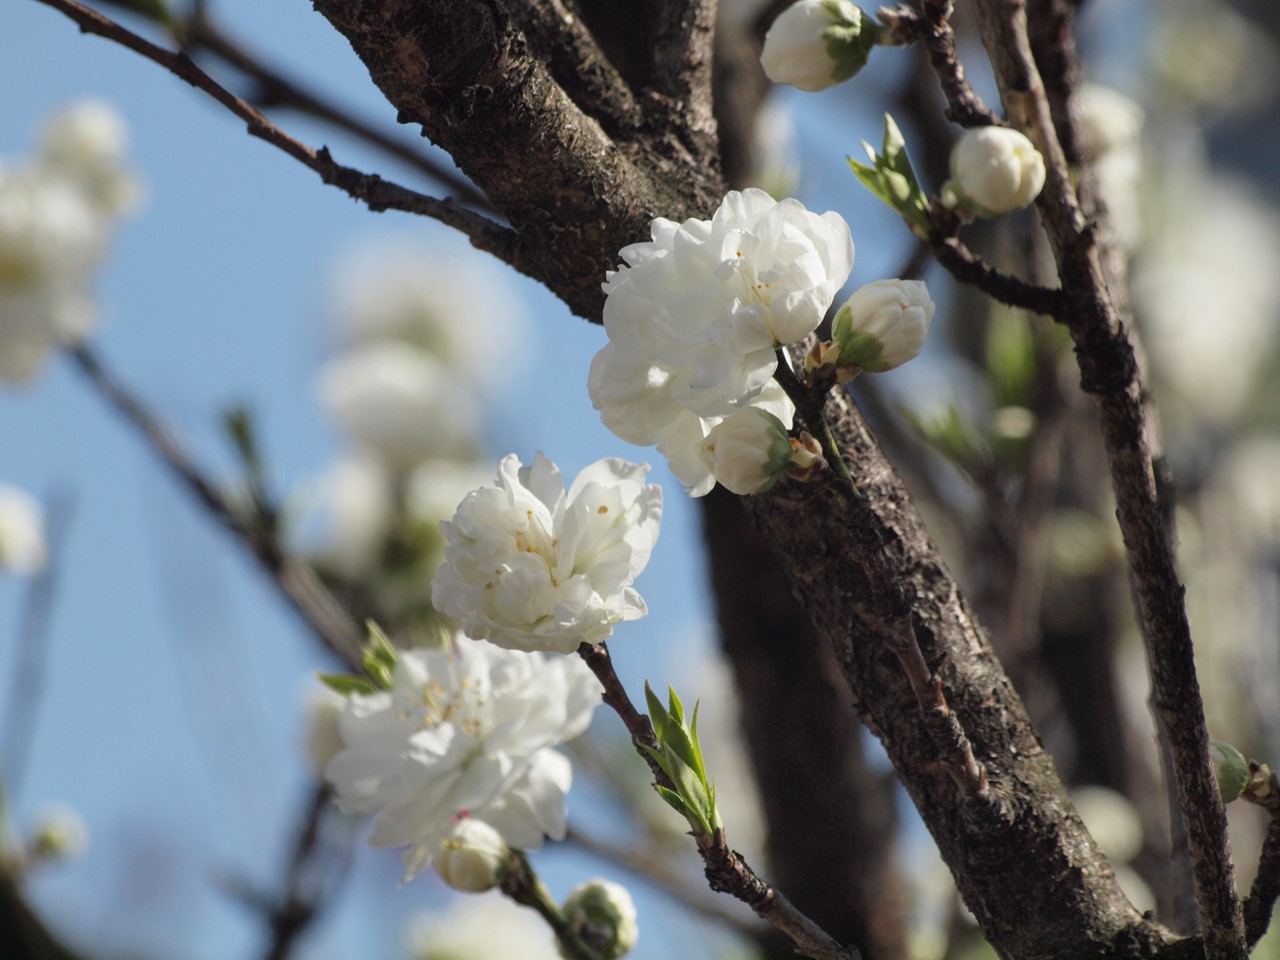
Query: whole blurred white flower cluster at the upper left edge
{"x": 57, "y": 217}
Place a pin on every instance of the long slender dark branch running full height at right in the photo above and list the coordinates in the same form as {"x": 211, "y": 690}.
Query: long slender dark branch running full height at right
{"x": 1110, "y": 373}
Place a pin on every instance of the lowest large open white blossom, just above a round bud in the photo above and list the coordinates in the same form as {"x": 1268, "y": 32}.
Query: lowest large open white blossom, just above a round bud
{"x": 467, "y": 732}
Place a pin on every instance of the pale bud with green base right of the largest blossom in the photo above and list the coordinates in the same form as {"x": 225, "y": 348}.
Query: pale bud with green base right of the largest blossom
{"x": 884, "y": 324}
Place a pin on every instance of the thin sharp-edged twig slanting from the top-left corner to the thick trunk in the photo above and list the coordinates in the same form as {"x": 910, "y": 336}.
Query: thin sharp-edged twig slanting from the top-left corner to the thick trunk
{"x": 377, "y": 194}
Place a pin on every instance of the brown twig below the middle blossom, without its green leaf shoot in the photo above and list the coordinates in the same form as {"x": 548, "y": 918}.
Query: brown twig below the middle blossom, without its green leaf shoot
{"x": 726, "y": 871}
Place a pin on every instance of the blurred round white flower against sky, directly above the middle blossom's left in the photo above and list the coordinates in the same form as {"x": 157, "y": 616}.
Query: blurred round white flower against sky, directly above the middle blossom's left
{"x": 400, "y": 403}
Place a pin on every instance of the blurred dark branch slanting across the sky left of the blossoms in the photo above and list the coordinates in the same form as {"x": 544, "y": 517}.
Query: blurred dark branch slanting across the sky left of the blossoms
{"x": 298, "y": 582}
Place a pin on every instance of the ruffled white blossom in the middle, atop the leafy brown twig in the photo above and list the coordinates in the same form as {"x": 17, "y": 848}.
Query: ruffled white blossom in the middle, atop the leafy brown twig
{"x": 531, "y": 566}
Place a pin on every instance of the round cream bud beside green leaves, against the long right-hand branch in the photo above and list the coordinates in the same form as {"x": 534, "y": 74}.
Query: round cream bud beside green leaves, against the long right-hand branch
{"x": 994, "y": 171}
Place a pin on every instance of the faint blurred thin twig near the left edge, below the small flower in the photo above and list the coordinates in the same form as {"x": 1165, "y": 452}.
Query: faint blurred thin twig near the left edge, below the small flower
{"x": 34, "y": 633}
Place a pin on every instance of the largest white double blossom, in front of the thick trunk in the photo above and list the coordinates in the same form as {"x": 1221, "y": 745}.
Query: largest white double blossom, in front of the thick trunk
{"x": 696, "y": 318}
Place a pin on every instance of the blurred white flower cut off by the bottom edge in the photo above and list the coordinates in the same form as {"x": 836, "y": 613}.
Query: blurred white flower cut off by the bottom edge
{"x": 481, "y": 929}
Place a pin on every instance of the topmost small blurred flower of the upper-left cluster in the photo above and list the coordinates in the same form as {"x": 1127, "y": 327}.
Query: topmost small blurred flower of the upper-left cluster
{"x": 88, "y": 144}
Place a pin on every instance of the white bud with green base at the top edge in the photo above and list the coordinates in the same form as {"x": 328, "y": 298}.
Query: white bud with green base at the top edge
{"x": 816, "y": 44}
